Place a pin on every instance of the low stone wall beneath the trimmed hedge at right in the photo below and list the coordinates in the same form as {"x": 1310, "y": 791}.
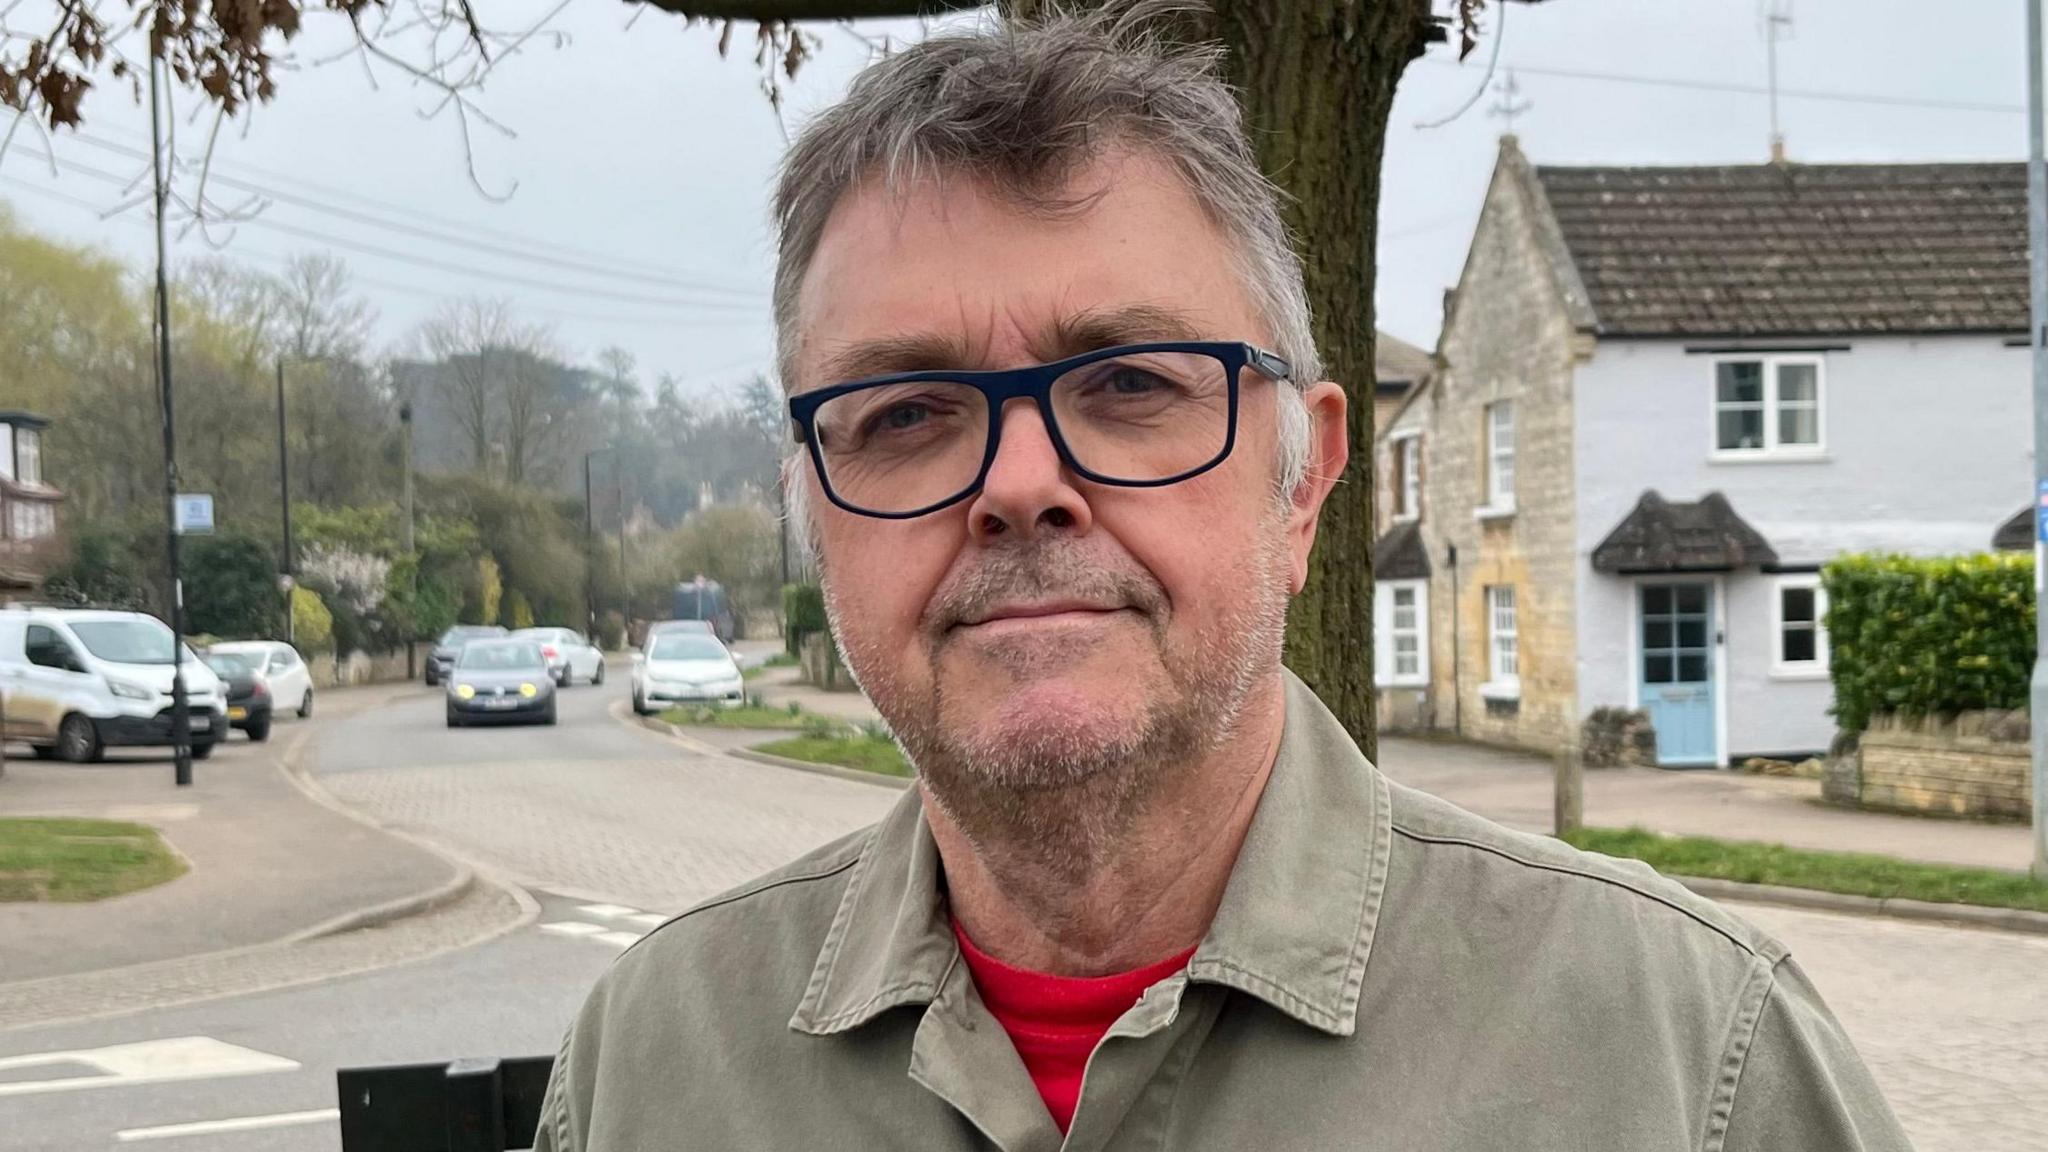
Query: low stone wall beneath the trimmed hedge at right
{"x": 1969, "y": 766}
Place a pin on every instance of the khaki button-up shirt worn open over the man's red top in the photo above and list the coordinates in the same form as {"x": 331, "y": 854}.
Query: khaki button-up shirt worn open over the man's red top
{"x": 1385, "y": 973}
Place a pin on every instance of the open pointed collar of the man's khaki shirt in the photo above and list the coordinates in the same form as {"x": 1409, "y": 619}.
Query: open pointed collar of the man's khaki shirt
{"x": 1295, "y": 925}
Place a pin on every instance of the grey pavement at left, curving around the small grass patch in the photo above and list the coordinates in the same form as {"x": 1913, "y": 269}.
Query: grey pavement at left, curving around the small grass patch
{"x": 267, "y": 862}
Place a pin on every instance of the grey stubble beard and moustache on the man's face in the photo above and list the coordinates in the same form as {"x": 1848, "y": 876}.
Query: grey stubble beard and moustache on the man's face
{"x": 1056, "y": 800}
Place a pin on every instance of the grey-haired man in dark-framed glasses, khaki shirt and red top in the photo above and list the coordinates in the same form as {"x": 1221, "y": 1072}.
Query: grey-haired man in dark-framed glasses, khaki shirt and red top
{"x": 1062, "y": 450}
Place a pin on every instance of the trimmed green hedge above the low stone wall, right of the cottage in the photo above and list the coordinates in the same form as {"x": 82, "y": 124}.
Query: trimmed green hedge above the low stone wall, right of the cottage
{"x": 1928, "y": 636}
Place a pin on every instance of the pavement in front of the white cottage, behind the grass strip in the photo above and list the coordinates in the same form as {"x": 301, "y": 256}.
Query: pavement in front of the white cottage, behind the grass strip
{"x": 1517, "y": 790}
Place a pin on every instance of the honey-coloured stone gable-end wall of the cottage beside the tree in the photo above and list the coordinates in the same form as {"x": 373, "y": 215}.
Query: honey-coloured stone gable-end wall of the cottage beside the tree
{"x": 1508, "y": 337}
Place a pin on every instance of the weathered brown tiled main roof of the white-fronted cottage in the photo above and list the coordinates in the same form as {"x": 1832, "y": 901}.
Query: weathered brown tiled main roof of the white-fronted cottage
{"x": 1797, "y": 249}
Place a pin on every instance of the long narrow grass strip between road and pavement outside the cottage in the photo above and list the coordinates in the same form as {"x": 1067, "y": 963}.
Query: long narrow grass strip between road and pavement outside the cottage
{"x": 1852, "y": 874}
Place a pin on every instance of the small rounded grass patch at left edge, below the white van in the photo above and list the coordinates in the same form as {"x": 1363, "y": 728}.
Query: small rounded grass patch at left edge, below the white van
{"x": 73, "y": 862}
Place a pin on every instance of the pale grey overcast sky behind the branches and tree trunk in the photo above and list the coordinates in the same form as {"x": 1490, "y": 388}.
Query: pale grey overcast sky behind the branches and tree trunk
{"x": 640, "y": 173}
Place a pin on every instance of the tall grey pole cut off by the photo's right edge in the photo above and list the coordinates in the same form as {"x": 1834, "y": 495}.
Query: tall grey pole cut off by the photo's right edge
{"x": 2039, "y": 337}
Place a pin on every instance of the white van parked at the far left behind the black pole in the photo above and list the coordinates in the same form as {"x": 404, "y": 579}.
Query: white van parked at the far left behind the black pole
{"x": 79, "y": 682}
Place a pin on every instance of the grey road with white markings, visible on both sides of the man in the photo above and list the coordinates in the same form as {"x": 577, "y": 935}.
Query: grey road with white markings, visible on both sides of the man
{"x": 613, "y": 827}
